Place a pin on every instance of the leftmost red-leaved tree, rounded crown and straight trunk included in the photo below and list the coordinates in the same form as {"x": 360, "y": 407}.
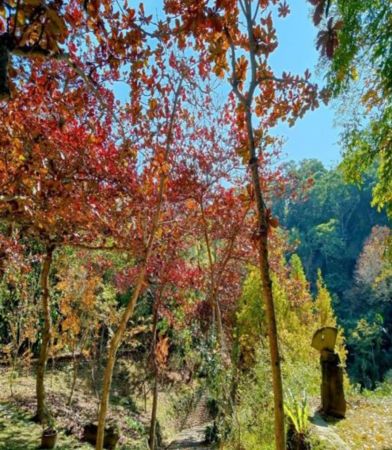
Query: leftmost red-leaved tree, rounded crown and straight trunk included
{"x": 57, "y": 172}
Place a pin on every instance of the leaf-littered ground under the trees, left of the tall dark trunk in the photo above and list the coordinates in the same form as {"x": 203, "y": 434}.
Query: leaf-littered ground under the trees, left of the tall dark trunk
{"x": 17, "y": 404}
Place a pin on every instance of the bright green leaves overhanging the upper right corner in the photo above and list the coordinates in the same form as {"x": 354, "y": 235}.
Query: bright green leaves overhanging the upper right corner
{"x": 361, "y": 70}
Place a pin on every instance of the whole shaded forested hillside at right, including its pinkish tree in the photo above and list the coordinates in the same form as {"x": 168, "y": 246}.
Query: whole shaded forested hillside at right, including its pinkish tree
{"x": 334, "y": 228}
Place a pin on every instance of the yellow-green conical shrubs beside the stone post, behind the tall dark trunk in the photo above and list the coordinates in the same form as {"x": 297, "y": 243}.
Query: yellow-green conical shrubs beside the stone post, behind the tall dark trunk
{"x": 298, "y": 316}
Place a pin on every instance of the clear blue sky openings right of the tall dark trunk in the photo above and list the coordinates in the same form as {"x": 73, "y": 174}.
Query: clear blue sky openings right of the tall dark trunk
{"x": 314, "y": 136}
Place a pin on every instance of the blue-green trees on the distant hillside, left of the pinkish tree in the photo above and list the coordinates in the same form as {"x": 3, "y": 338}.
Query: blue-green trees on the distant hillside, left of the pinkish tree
{"x": 328, "y": 220}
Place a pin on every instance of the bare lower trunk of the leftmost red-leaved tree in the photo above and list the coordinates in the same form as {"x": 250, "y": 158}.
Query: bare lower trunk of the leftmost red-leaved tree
{"x": 46, "y": 331}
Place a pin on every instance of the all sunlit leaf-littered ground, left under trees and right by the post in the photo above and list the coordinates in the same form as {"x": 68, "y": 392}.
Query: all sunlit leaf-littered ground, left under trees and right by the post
{"x": 368, "y": 425}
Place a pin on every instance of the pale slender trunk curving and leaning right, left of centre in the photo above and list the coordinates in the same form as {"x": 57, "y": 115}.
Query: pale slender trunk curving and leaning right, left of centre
{"x": 119, "y": 333}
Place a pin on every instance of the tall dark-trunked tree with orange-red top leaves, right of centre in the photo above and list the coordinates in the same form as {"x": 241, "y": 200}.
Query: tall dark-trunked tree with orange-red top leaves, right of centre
{"x": 235, "y": 38}
